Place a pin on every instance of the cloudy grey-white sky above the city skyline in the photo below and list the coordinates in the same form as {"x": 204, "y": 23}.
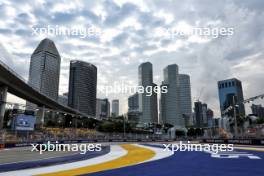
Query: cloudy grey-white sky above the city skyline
{"x": 131, "y": 35}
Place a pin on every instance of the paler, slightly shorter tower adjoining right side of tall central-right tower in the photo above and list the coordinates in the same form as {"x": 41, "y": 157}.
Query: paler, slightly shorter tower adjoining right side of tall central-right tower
{"x": 185, "y": 95}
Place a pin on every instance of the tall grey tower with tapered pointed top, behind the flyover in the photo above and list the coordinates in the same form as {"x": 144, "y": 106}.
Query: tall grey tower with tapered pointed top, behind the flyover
{"x": 44, "y": 71}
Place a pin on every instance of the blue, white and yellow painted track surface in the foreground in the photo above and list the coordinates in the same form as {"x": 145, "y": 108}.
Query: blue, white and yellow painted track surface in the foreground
{"x": 149, "y": 160}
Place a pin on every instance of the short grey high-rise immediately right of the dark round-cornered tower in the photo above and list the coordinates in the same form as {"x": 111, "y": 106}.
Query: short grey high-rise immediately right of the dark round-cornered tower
{"x": 102, "y": 108}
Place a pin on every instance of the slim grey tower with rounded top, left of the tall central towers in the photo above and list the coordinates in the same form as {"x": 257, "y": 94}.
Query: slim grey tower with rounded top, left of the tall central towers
{"x": 147, "y": 102}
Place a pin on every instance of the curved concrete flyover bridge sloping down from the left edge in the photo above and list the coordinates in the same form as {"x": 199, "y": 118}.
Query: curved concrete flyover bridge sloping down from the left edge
{"x": 13, "y": 83}
